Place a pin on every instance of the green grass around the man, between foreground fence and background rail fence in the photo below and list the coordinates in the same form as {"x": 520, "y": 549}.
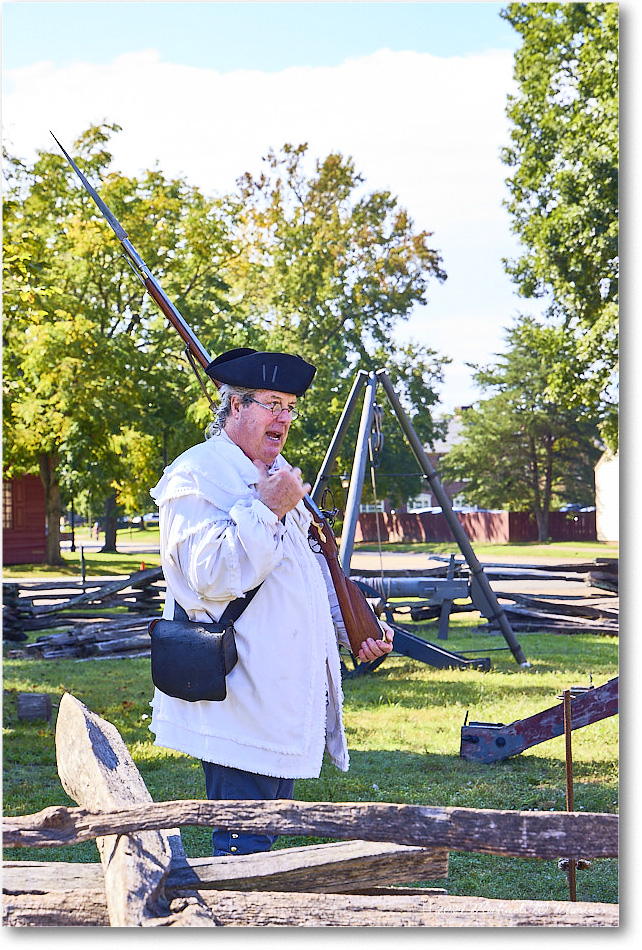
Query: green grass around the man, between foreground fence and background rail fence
{"x": 403, "y": 725}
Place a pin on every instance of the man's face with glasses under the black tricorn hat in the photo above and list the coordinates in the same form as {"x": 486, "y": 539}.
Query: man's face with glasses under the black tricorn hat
{"x": 260, "y": 433}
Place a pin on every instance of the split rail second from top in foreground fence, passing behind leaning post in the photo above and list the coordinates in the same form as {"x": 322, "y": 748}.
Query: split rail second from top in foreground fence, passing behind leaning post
{"x": 340, "y": 867}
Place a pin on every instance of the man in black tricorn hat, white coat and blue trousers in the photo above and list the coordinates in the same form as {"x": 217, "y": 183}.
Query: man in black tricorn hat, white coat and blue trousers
{"x": 232, "y": 517}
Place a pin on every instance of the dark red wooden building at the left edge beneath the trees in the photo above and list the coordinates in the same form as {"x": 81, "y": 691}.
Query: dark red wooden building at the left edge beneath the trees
{"x": 24, "y": 521}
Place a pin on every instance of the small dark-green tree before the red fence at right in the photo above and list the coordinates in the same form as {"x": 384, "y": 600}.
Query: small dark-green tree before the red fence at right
{"x": 520, "y": 449}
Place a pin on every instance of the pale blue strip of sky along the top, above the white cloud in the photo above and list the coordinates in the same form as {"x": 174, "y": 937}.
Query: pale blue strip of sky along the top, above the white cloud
{"x": 230, "y": 36}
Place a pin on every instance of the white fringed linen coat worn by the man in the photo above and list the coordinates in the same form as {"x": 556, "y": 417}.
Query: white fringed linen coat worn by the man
{"x": 218, "y": 540}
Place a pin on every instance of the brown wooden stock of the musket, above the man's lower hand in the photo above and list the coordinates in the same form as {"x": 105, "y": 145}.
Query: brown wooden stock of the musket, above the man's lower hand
{"x": 358, "y": 617}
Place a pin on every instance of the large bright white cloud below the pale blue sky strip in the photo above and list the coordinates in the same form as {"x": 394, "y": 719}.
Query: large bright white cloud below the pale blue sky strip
{"x": 427, "y": 128}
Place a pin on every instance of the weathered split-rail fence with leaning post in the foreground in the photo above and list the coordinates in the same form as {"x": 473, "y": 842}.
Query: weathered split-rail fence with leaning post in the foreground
{"x": 146, "y": 880}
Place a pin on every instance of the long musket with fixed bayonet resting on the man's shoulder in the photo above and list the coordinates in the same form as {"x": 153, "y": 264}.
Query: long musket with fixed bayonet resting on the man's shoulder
{"x": 359, "y": 619}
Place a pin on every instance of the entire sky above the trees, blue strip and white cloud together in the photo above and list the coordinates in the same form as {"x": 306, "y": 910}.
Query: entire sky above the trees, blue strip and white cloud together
{"x": 415, "y": 93}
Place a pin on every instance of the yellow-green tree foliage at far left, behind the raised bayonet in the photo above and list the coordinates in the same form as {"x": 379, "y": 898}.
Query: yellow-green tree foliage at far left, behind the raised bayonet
{"x": 86, "y": 354}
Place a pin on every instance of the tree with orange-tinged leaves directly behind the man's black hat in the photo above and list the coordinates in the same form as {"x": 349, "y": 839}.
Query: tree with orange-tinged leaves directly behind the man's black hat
{"x": 328, "y": 271}
